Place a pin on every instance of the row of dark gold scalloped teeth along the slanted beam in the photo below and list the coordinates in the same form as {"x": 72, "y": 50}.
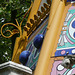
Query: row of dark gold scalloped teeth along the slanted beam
{"x": 41, "y": 15}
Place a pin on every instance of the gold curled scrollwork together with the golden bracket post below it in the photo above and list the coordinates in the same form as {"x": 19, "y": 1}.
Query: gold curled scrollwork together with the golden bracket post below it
{"x": 21, "y": 41}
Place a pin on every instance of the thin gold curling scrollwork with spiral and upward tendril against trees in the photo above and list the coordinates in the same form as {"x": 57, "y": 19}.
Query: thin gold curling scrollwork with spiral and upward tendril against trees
{"x": 18, "y": 26}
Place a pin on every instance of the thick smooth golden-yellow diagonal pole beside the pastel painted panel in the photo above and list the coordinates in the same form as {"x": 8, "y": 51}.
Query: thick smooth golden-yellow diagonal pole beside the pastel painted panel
{"x": 50, "y": 40}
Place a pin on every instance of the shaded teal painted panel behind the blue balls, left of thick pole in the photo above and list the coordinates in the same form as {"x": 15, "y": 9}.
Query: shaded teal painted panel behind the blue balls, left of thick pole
{"x": 33, "y": 58}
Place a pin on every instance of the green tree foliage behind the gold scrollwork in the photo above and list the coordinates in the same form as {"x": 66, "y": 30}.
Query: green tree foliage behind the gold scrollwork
{"x": 9, "y": 11}
